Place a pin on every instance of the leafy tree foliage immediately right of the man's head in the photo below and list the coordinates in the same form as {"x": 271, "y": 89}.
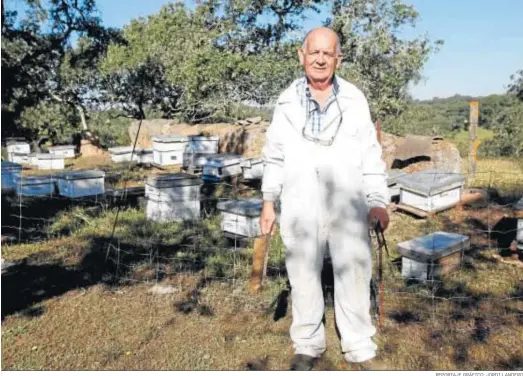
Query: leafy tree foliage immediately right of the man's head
{"x": 376, "y": 58}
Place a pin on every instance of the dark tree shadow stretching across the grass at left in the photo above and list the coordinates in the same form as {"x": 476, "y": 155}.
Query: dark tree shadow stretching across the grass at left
{"x": 112, "y": 262}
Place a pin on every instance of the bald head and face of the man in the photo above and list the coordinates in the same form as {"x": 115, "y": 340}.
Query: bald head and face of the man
{"x": 320, "y": 58}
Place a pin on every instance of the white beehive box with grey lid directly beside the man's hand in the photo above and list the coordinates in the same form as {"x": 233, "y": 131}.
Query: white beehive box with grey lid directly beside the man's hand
{"x": 240, "y": 217}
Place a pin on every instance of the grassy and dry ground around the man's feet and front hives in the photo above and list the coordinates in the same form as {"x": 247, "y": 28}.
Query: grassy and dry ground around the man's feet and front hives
{"x": 99, "y": 323}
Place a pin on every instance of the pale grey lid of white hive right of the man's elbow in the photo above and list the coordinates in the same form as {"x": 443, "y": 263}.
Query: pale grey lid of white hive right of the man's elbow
{"x": 430, "y": 181}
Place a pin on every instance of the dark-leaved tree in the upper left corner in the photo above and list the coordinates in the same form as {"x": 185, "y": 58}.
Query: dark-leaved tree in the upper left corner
{"x": 39, "y": 66}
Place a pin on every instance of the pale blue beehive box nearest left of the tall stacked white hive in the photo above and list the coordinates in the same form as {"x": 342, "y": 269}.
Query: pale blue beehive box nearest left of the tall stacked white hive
{"x": 81, "y": 183}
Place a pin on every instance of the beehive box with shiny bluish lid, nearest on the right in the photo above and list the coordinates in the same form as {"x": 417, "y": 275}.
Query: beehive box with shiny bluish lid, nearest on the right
{"x": 432, "y": 255}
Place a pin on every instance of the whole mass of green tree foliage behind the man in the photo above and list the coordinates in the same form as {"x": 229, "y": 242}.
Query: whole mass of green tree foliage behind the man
{"x": 198, "y": 65}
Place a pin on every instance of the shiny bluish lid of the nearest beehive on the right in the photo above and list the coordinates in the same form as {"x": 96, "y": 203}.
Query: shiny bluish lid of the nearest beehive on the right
{"x": 433, "y": 246}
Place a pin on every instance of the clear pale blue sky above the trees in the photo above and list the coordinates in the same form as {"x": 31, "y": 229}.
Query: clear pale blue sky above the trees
{"x": 483, "y": 41}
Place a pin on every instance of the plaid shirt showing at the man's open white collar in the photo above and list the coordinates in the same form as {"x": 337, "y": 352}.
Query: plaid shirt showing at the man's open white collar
{"x": 315, "y": 115}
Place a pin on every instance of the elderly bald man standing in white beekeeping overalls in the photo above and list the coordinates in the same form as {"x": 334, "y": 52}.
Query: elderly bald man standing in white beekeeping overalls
{"x": 323, "y": 161}
